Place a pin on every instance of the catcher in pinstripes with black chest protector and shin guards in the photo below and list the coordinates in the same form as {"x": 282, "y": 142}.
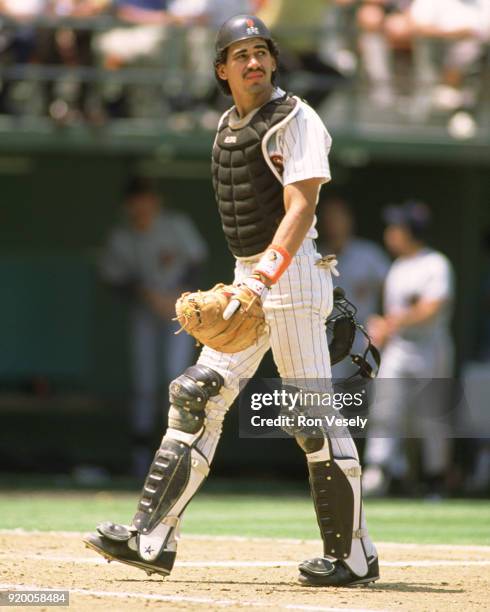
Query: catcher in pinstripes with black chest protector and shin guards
{"x": 270, "y": 158}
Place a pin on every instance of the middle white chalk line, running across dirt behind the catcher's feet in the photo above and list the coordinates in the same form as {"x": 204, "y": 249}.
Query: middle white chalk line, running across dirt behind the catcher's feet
{"x": 233, "y": 563}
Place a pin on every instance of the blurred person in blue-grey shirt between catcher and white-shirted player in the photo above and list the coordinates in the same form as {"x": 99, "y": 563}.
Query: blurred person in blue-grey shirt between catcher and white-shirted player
{"x": 363, "y": 266}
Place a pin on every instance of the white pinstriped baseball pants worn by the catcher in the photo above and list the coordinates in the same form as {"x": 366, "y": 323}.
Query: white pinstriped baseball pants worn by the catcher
{"x": 296, "y": 309}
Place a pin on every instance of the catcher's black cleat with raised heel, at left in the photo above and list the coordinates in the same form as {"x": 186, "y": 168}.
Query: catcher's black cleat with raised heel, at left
{"x": 118, "y": 543}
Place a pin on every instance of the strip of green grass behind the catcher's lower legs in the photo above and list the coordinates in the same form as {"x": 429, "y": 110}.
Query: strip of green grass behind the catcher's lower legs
{"x": 262, "y": 511}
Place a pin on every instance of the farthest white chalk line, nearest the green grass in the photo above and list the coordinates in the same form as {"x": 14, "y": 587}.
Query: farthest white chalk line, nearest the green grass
{"x": 224, "y": 538}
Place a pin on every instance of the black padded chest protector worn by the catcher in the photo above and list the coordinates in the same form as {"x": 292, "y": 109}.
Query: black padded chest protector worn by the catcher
{"x": 248, "y": 192}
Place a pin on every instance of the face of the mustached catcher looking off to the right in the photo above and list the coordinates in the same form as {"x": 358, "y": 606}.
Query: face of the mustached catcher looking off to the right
{"x": 249, "y": 66}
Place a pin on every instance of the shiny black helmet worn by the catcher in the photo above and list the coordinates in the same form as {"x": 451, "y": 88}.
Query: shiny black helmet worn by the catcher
{"x": 240, "y": 27}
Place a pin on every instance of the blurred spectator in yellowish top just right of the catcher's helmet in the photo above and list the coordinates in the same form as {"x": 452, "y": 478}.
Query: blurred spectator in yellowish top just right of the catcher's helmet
{"x": 300, "y": 25}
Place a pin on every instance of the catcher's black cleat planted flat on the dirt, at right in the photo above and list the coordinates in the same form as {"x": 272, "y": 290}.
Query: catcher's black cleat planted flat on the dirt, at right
{"x": 322, "y": 572}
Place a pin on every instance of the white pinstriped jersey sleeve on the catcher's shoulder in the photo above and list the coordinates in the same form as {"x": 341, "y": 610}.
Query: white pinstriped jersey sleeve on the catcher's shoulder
{"x": 304, "y": 145}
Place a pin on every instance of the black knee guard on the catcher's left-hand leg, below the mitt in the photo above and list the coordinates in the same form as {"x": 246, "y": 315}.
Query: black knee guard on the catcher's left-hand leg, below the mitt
{"x": 189, "y": 394}
